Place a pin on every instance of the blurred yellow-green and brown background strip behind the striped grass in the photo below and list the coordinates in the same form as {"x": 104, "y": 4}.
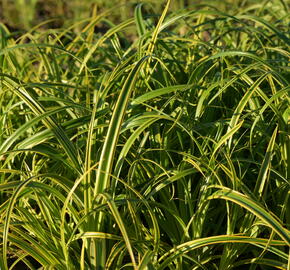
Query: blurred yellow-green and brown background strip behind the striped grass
{"x": 24, "y": 14}
